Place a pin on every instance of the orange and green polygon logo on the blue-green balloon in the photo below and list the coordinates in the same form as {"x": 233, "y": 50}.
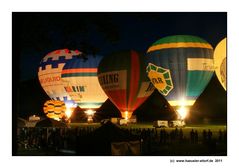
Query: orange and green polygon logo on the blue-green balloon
{"x": 160, "y": 77}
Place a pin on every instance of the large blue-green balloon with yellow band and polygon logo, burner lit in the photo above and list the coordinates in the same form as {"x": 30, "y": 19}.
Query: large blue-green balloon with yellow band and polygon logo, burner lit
{"x": 180, "y": 67}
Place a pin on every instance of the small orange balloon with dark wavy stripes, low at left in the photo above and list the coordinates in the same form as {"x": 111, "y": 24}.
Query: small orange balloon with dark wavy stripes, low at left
{"x": 54, "y": 109}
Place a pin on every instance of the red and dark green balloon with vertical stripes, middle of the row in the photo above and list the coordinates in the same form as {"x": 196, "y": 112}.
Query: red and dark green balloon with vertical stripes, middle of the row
{"x": 122, "y": 76}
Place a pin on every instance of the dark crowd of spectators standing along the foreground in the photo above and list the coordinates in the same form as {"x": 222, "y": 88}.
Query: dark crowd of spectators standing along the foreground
{"x": 70, "y": 139}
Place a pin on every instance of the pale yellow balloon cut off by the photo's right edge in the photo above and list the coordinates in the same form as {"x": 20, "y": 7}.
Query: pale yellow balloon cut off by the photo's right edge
{"x": 220, "y": 62}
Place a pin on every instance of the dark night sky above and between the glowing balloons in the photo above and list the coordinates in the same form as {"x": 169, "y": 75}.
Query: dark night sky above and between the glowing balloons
{"x": 36, "y": 34}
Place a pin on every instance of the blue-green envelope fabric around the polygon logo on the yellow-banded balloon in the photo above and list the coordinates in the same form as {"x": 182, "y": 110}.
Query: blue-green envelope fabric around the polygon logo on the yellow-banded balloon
{"x": 190, "y": 64}
